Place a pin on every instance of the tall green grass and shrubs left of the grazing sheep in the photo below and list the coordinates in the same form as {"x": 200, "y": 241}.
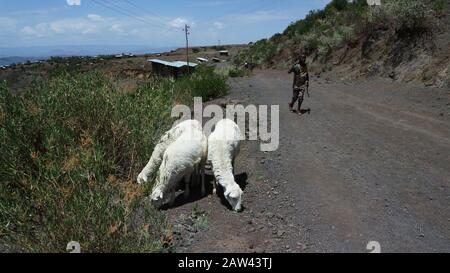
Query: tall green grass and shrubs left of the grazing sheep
{"x": 70, "y": 149}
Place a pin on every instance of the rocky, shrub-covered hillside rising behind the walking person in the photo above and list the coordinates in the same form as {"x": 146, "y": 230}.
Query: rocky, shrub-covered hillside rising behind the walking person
{"x": 406, "y": 40}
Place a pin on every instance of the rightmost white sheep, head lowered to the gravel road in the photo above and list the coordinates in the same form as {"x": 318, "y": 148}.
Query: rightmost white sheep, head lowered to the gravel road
{"x": 223, "y": 147}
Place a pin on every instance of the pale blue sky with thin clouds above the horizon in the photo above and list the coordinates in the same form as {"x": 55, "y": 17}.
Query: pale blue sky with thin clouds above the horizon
{"x": 153, "y": 23}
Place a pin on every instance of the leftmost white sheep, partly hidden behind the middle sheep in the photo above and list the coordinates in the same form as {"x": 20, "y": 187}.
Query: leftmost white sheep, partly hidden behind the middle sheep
{"x": 168, "y": 138}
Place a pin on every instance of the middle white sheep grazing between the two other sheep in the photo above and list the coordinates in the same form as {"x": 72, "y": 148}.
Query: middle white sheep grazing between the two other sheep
{"x": 186, "y": 155}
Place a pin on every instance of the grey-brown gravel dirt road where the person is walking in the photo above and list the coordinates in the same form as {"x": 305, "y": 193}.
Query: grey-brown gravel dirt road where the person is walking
{"x": 370, "y": 163}
